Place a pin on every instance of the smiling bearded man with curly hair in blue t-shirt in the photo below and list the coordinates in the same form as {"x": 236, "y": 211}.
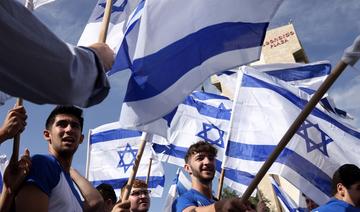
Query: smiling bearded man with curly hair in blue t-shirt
{"x": 200, "y": 164}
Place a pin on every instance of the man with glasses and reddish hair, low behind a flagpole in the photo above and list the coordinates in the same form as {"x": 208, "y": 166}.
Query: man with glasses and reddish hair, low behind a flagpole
{"x": 139, "y": 196}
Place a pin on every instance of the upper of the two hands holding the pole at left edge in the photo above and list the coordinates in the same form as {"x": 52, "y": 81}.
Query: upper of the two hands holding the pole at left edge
{"x": 14, "y": 123}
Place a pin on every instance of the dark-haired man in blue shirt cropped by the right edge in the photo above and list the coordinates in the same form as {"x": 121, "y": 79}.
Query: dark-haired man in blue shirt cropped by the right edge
{"x": 346, "y": 190}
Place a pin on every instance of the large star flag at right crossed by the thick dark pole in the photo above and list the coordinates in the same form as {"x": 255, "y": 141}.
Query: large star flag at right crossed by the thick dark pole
{"x": 265, "y": 108}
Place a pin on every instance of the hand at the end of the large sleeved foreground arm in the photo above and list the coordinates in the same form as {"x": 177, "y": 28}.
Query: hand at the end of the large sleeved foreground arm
{"x": 105, "y": 54}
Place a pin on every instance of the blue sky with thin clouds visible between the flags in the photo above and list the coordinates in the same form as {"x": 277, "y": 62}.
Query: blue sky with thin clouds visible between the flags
{"x": 325, "y": 29}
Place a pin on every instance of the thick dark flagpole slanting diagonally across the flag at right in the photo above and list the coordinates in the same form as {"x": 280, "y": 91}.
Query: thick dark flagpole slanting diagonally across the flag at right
{"x": 340, "y": 67}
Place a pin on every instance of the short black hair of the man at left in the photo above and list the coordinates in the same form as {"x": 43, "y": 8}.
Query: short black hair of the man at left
{"x": 68, "y": 110}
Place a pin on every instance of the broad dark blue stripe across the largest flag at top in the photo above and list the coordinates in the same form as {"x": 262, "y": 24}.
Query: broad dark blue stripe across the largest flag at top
{"x": 159, "y": 71}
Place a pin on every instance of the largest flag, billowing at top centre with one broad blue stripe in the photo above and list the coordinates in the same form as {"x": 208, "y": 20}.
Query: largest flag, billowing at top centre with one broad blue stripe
{"x": 175, "y": 45}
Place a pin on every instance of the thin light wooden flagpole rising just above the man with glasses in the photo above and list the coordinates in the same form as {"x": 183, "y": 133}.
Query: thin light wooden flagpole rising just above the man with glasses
{"x": 126, "y": 194}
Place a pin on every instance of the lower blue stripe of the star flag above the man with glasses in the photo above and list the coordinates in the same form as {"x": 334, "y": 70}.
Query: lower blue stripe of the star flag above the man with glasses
{"x": 154, "y": 181}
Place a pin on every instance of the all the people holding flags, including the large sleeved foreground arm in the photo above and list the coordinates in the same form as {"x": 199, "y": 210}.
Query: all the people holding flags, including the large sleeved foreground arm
{"x": 48, "y": 182}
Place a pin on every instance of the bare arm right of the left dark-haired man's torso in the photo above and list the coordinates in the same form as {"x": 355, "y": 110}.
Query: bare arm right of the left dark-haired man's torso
{"x": 93, "y": 199}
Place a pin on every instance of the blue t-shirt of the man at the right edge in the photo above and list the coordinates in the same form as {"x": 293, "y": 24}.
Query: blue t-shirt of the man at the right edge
{"x": 336, "y": 205}
